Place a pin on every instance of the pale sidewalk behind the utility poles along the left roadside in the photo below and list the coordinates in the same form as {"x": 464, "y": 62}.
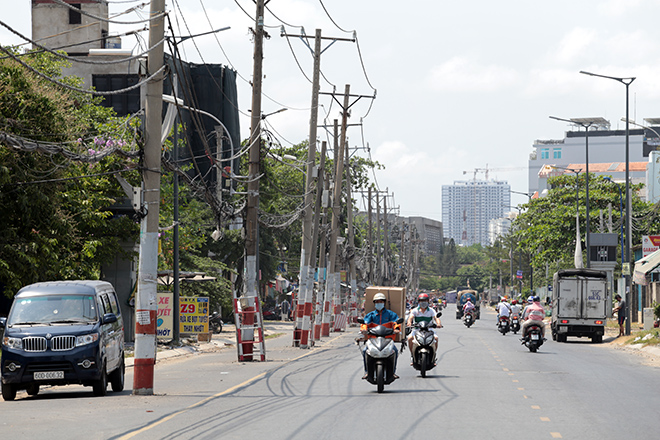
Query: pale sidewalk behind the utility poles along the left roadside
{"x": 222, "y": 341}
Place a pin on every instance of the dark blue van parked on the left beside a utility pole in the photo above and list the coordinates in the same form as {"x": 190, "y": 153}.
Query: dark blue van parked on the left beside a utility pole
{"x": 60, "y": 333}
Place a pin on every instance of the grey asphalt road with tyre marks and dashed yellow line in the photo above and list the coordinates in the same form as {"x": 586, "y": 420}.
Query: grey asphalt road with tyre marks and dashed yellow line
{"x": 486, "y": 386}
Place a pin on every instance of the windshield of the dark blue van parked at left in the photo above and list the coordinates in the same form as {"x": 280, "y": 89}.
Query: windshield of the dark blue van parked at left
{"x": 52, "y": 309}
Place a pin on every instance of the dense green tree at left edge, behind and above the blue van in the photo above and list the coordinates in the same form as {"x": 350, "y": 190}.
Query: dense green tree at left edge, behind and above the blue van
{"x": 58, "y": 223}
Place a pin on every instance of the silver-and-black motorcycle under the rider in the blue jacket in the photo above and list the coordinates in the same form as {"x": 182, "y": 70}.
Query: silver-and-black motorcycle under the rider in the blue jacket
{"x": 380, "y": 355}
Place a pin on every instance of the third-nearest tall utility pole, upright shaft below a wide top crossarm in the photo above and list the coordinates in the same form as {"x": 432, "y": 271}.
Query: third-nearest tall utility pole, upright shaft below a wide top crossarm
{"x": 303, "y": 320}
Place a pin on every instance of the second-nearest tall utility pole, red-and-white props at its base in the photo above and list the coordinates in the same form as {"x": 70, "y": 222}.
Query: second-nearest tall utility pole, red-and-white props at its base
{"x": 252, "y": 220}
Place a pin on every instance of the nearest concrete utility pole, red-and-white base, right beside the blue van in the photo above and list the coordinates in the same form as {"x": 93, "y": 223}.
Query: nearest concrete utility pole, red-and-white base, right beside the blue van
{"x": 146, "y": 298}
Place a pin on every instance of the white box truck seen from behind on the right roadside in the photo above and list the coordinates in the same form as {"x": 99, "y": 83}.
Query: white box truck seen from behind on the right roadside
{"x": 581, "y": 304}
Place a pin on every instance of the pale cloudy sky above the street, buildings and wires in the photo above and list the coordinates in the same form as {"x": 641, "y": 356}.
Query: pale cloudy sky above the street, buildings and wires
{"x": 459, "y": 86}
